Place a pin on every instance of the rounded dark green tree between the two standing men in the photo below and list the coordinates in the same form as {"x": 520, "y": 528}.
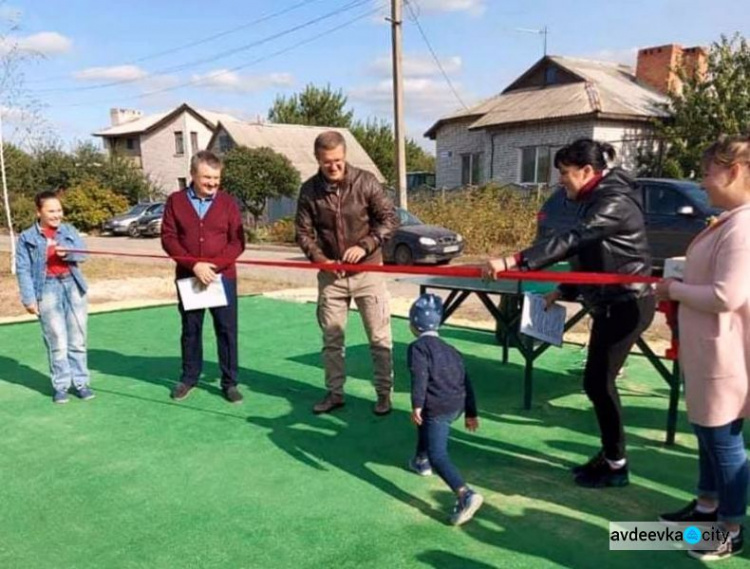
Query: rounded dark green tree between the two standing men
{"x": 254, "y": 175}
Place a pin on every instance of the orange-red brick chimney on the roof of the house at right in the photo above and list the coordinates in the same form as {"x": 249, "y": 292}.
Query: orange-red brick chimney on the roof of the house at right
{"x": 658, "y": 66}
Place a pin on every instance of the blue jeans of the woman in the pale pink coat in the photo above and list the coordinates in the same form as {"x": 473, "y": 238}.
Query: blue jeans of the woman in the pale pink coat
{"x": 723, "y": 469}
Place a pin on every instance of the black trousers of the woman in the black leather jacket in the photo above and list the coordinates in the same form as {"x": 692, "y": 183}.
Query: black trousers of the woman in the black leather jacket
{"x": 614, "y": 332}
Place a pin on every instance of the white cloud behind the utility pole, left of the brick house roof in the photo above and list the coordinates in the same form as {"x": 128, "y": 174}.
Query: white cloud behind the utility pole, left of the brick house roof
{"x": 424, "y": 98}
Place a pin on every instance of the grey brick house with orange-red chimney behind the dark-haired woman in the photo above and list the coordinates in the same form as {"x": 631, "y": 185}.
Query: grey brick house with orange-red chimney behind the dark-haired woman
{"x": 512, "y": 137}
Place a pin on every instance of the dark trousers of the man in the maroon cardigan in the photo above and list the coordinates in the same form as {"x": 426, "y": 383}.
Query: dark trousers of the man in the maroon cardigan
{"x": 225, "y": 327}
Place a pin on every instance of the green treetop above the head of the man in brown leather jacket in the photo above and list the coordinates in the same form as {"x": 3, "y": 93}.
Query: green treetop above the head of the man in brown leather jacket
{"x": 315, "y": 106}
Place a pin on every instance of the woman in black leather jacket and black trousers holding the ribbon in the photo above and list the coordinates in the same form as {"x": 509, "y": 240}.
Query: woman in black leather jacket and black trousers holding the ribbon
{"x": 609, "y": 237}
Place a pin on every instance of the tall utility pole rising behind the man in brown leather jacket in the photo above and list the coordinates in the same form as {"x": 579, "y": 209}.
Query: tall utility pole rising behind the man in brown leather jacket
{"x": 398, "y": 101}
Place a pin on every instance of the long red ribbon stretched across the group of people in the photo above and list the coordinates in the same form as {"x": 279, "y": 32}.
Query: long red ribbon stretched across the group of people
{"x": 466, "y": 271}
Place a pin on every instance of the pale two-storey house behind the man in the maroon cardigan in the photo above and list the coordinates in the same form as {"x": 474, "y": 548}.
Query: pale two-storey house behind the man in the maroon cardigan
{"x": 161, "y": 144}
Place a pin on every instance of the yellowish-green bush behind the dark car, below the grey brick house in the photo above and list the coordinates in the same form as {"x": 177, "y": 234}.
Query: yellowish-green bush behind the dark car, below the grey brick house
{"x": 494, "y": 220}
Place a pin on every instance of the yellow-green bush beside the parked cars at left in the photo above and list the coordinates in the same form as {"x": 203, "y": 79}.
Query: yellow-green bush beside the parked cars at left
{"x": 88, "y": 205}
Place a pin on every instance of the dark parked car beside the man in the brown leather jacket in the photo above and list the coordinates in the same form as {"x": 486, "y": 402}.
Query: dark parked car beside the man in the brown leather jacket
{"x": 416, "y": 242}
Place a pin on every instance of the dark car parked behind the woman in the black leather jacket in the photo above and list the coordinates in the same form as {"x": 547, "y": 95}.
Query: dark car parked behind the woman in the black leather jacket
{"x": 675, "y": 212}
